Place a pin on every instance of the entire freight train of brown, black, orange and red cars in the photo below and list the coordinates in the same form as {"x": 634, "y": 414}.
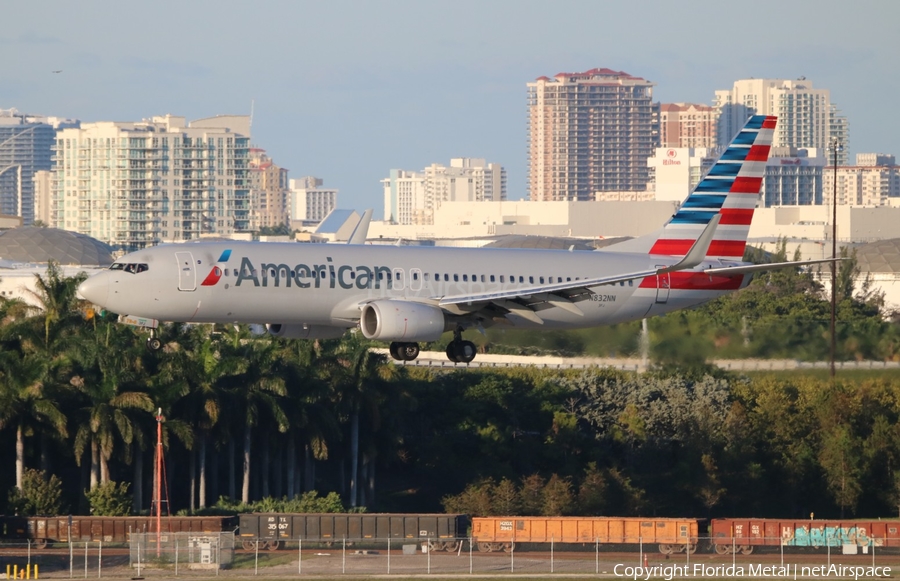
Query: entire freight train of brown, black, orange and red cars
{"x": 447, "y": 532}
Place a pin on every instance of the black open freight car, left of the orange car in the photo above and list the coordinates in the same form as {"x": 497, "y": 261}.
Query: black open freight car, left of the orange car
{"x": 441, "y": 531}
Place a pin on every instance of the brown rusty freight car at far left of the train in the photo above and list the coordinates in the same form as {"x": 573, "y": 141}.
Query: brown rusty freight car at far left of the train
{"x": 44, "y": 529}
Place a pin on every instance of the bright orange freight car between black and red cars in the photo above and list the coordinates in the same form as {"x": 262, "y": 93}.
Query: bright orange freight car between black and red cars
{"x": 501, "y": 533}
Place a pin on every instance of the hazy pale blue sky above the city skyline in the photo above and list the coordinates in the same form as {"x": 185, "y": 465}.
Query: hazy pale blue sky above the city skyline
{"x": 347, "y": 90}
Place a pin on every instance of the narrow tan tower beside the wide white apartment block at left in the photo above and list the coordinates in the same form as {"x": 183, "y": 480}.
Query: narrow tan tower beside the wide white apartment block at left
{"x": 269, "y": 190}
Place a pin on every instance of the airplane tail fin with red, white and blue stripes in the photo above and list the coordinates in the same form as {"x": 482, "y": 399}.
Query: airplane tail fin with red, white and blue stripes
{"x": 730, "y": 189}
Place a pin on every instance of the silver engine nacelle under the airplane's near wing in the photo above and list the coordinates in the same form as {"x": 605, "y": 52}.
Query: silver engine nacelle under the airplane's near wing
{"x": 401, "y": 321}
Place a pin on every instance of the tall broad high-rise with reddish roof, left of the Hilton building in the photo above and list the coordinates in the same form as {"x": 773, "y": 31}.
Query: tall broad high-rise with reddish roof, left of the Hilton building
{"x": 589, "y": 132}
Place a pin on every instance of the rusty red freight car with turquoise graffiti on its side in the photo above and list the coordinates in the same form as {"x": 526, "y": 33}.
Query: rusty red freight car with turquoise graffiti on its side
{"x": 742, "y": 535}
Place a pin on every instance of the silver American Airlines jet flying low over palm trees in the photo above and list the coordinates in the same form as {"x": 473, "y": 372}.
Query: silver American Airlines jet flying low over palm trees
{"x": 407, "y": 294}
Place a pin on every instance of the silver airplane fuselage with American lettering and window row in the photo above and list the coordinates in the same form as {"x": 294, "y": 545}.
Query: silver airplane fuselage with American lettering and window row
{"x": 325, "y": 284}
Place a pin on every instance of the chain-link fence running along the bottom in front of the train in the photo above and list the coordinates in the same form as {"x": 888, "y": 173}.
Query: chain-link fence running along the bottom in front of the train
{"x": 204, "y": 555}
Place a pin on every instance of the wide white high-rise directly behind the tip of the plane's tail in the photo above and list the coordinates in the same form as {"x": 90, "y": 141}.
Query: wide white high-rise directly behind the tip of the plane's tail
{"x": 806, "y": 116}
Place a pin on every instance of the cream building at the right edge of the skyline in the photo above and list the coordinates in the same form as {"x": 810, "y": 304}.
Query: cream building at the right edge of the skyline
{"x": 869, "y": 183}
